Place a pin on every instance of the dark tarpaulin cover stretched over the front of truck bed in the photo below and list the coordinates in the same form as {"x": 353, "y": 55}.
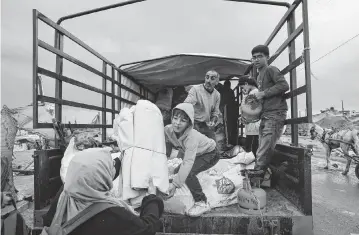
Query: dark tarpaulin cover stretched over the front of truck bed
{"x": 183, "y": 69}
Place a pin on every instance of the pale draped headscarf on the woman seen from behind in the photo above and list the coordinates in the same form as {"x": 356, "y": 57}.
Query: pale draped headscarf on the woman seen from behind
{"x": 89, "y": 179}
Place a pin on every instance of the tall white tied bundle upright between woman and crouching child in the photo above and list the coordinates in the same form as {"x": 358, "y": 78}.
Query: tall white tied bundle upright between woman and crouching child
{"x": 139, "y": 132}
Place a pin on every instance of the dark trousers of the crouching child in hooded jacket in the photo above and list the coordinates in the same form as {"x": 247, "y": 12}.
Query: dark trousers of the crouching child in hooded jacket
{"x": 202, "y": 163}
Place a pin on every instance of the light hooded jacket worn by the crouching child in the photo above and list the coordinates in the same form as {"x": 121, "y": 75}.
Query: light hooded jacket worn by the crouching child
{"x": 192, "y": 143}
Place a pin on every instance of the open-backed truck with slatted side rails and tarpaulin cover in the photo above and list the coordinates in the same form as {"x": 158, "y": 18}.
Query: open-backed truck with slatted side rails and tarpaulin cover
{"x": 289, "y": 206}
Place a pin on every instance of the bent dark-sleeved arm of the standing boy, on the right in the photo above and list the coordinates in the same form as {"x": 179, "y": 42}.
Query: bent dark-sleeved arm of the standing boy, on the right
{"x": 280, "y": 84}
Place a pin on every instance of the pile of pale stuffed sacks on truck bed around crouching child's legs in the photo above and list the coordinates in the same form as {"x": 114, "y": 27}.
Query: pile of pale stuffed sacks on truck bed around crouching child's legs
{"x": 220, "y": 183}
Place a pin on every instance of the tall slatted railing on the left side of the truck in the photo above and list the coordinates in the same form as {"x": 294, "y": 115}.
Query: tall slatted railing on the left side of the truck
{"x": 124, "y": 89}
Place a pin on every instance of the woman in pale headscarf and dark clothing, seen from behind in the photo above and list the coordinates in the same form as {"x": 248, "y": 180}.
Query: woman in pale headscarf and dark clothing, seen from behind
{"x": 88, "y": 181}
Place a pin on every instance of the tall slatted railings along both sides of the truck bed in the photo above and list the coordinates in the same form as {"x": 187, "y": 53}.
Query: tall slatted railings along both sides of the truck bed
{"x": 118, "y": 76}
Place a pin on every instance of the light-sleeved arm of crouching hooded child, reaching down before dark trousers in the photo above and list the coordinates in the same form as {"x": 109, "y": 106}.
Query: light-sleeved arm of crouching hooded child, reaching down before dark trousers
{"x": 187, "y": 163}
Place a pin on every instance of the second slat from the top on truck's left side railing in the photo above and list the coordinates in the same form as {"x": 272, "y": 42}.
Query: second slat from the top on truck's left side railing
{"x": 46, "y": 46}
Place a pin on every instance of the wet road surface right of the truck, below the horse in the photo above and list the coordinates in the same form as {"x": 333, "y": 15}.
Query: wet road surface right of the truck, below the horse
{"x": 335, "y": 199}
